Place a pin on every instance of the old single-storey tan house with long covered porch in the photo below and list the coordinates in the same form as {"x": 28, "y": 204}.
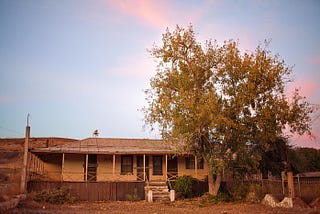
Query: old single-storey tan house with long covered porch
{"x": 113, "y": 160}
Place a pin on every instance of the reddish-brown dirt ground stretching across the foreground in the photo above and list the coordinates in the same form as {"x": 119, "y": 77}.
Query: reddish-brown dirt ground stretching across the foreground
{"x": 141, "y": 207}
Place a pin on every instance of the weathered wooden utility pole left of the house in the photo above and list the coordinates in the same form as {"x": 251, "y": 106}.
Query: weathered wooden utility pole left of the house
{"x": 23, "y": 184}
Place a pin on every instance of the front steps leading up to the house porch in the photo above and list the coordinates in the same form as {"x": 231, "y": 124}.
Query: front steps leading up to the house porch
{"x": 160, "y": 191}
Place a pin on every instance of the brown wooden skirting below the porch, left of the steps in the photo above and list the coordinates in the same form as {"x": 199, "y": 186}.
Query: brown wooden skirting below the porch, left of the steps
{"x": 93, "y": 191}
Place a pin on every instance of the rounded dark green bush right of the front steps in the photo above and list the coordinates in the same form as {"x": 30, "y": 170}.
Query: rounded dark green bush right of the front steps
{"x": 184, "y": 186}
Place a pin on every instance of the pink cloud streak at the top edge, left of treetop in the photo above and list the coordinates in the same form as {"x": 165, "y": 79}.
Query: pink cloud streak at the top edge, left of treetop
{"x": 153, "y": 13}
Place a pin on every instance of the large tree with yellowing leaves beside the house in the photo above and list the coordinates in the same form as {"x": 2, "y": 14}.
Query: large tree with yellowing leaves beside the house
{"x": 219, "y": 103}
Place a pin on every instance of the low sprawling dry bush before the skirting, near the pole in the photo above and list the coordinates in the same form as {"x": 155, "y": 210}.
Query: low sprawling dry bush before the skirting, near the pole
{"x": 56, "y": 196}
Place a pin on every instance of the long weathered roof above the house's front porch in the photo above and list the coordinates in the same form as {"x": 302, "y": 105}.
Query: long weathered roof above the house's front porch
{"x": 111, "y": 146}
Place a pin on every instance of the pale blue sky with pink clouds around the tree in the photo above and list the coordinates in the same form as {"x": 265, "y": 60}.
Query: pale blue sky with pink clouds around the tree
{"x": 80, "y": 65}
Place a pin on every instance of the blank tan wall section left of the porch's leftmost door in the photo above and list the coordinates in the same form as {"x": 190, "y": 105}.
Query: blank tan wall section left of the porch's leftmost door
{"x": 73, "y": 167}
